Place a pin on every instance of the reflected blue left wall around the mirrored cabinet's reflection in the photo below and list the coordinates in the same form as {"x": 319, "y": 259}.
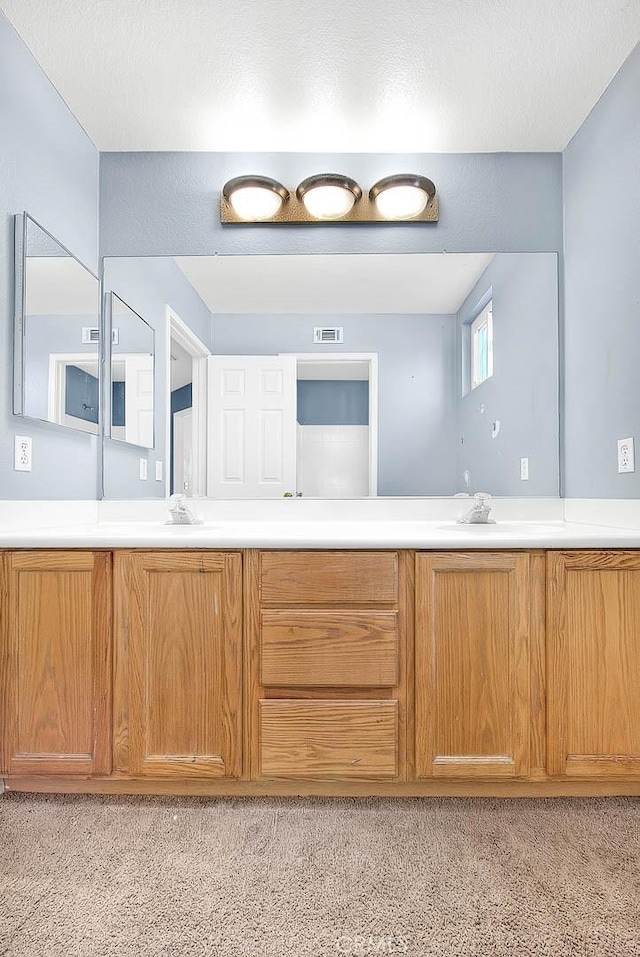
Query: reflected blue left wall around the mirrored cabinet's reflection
{"x": 148, "y": 285}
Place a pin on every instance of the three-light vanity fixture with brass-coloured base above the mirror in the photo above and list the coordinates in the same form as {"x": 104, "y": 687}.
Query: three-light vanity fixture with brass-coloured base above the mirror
{"x": 329, "y": 198}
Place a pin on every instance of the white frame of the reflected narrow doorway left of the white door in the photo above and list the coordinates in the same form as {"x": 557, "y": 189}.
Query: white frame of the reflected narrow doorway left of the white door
{"x": 178, "y": 330}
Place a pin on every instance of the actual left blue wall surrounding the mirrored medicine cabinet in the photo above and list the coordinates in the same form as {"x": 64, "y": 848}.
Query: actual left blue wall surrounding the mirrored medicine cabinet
{"x": 49, "y": 167}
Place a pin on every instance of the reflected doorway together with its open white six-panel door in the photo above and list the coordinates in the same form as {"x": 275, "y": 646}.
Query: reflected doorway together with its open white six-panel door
{"x": 291, "y": 424}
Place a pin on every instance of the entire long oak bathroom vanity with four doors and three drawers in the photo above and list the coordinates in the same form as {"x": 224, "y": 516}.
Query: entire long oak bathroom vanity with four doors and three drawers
{"x": 478, "y": 670}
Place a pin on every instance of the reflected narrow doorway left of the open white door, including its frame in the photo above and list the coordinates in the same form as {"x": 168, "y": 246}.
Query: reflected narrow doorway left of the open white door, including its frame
{"x": 186, "y": 420}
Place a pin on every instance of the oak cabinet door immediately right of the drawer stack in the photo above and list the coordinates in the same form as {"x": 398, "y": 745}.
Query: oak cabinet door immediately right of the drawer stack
{"x": 472, "y": 694}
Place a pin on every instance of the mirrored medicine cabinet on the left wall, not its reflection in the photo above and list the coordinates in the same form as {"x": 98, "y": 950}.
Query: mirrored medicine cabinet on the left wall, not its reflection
{"x": 56, "y": 334}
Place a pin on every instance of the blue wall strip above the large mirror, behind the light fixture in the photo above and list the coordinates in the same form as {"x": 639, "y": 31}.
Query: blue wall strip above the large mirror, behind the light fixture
{"x": 167, "y": 204}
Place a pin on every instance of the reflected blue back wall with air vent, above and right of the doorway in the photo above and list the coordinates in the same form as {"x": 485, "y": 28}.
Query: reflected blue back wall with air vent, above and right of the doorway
{"x": 416, "y": 371}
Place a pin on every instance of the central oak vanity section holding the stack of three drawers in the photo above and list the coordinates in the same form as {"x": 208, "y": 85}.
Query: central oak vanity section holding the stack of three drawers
{"x": 327, "y": 692}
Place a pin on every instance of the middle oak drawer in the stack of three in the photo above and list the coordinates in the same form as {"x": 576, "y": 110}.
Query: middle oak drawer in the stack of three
{"x": 347, "y": 649}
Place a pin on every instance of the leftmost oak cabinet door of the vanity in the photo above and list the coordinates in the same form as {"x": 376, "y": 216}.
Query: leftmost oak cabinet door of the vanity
{"x": 56, "y": 663}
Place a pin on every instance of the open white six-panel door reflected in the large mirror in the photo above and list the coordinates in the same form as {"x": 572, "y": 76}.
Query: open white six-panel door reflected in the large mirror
{"x": 252, "y": 426}
